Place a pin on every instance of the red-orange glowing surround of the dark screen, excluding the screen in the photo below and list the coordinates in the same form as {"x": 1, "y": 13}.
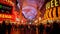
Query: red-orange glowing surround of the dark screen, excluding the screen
{"x": 12, "y": 17}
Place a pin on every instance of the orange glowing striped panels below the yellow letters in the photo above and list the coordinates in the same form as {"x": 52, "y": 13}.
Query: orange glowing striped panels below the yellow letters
{"x": 53, "y": 11}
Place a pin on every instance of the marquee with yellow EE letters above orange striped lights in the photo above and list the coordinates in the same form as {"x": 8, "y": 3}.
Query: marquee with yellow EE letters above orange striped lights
{"x": 52, "y": 9}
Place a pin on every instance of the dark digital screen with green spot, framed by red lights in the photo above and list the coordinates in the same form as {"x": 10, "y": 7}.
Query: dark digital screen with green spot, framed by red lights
{"x": 5, "y": 8}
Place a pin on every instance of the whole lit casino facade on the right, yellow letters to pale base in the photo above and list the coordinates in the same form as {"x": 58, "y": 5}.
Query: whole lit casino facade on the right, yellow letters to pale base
{"x": 52, "y": 11}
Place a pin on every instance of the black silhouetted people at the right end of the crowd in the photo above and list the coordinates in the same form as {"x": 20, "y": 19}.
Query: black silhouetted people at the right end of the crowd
{"x": 49, "y": 28}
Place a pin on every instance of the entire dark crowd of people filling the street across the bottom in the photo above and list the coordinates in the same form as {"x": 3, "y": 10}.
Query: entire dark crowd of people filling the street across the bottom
{"x": 49, "y": 28}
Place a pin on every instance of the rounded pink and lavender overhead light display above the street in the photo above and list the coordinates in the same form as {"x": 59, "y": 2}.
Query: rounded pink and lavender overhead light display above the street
{"x": 29, "y": 12}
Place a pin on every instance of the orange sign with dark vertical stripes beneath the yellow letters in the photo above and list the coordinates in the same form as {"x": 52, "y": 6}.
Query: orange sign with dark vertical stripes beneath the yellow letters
{"x": 52, "y": 12}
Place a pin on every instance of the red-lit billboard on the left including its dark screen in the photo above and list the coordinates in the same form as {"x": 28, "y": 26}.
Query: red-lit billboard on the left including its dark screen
{"x": 7, "y": 11}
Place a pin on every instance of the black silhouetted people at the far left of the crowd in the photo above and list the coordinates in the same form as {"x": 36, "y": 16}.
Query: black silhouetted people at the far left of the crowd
{"x": 5, "y": 27}
